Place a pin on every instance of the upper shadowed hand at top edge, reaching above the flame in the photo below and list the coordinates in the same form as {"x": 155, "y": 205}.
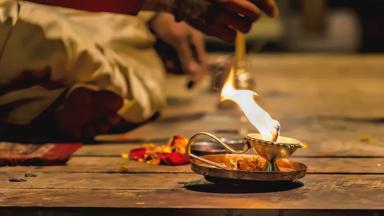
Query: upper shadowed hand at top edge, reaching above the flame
{"x": 220, "y": 18}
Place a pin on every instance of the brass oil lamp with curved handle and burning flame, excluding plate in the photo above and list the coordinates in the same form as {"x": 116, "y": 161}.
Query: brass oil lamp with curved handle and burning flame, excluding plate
{"x": 267, "y": 143}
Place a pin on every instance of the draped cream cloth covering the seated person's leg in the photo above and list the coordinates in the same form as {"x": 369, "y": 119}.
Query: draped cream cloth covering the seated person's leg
{"x": 45, "y": 51}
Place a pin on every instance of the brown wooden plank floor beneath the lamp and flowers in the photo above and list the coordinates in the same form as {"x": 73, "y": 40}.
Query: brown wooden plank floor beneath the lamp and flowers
{"x": 333, "y": 103}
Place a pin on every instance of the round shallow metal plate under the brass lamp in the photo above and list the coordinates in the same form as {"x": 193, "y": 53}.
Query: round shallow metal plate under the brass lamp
{"x": 290, "y": 170}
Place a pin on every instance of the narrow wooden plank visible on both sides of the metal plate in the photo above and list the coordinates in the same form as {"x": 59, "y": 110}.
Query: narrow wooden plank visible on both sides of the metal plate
{"x": 119, "y": 165}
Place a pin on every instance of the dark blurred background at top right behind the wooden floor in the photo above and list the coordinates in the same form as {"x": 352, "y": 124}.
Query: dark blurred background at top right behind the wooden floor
{"x": 333, "y": 26}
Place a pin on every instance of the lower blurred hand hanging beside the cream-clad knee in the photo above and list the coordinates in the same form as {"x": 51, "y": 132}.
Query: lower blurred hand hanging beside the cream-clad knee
{"x": 185, "y": 40}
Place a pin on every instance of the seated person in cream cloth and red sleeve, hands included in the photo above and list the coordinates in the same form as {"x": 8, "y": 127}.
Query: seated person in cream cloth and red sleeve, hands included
{"x": 77, "y": 74}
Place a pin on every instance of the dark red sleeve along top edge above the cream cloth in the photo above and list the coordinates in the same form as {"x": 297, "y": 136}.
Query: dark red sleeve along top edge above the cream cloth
{"x": 131, "y": 7}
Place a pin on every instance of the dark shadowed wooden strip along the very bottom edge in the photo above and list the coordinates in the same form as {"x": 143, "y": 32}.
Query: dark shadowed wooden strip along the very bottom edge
{"x": 95, "y": 211}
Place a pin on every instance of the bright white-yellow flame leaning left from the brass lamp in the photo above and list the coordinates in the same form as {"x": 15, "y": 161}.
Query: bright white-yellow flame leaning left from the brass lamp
{"x": 260, "y": 119}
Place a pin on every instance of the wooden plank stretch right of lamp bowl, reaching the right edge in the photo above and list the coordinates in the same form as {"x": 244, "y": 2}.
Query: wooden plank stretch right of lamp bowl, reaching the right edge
{"x": 337, "y": 138}
